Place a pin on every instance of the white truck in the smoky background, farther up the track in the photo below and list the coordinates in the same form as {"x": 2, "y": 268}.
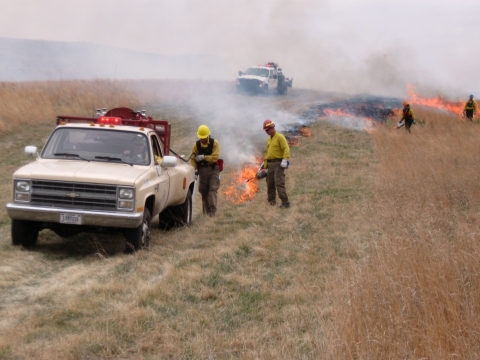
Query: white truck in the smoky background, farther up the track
{"x": 263, "y": 79}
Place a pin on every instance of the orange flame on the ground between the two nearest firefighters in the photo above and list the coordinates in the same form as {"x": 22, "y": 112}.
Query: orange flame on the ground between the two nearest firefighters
{"x": 244, "y": 186}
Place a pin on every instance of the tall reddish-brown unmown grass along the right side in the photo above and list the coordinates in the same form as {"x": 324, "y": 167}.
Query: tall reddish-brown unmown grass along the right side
{"x": 417, "y": 293}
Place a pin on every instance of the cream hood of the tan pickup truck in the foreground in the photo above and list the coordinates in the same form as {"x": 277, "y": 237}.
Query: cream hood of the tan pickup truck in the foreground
{"x": 81, "y": 171}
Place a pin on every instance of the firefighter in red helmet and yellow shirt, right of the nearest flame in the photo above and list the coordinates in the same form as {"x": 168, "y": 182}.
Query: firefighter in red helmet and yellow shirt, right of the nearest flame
{"x": 276, "y": 161}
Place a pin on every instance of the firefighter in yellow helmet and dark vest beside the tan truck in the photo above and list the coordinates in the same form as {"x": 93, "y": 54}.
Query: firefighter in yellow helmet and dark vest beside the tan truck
{"x": 205, "y": 154}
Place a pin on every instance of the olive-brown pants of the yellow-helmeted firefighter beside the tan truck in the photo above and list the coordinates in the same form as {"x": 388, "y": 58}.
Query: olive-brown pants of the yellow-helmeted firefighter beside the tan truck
{"x": 209, "y": 182}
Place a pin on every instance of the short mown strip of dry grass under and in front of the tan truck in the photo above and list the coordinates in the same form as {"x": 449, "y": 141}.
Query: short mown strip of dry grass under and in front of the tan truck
{"x": 248, "y": 284}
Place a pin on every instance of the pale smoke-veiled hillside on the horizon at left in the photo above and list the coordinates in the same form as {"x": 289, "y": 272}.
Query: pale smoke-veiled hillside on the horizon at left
{"x": 37, "y": 60}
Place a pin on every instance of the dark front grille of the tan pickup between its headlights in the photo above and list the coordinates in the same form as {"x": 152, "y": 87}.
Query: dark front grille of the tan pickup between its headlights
{"x": 74, "y": 195}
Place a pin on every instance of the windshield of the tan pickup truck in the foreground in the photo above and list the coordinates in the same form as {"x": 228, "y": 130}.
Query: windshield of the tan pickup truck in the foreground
{"x": 97, "y": 145}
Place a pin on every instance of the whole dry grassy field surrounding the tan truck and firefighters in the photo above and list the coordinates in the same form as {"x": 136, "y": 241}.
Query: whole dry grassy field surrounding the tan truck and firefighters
{"x": 378, "y": 257}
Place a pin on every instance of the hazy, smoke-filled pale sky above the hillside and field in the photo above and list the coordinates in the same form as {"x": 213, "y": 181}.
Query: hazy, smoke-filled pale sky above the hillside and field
{"x": 356, "y": 46}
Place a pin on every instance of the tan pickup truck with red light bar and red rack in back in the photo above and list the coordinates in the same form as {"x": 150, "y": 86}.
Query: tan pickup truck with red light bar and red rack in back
{"x": 109, "y": 173}
